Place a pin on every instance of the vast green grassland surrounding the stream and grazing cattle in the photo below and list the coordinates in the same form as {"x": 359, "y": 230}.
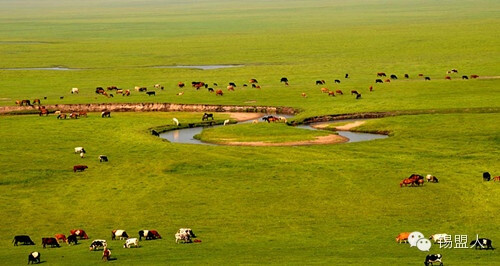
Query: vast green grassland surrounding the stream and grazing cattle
{"x": 328, "y": 204}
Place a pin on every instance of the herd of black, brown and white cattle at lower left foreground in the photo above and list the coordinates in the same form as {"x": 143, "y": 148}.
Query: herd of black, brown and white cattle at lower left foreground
{"x": 183, "y": 235}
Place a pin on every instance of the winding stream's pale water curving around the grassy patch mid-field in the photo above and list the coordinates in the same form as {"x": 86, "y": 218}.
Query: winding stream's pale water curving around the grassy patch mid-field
{"x": 186, "y": 135}
